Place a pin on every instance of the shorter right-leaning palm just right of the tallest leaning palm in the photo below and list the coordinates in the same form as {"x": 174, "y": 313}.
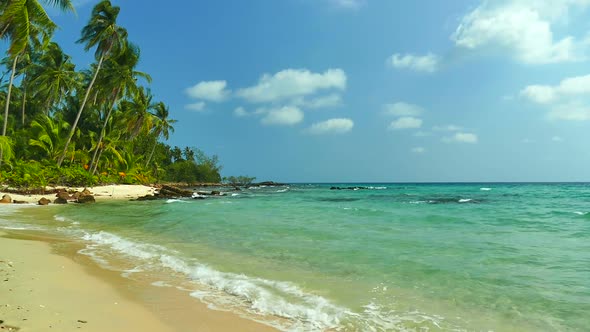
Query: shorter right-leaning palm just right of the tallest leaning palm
{"x": 120, "y": 76}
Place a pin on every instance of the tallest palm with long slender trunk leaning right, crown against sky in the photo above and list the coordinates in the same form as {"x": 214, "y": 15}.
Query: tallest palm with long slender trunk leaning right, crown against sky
{"x": 103, "y": 32}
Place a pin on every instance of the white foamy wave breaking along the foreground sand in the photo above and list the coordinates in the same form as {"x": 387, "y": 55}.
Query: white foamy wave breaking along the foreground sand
{"x": 281, "y": 304}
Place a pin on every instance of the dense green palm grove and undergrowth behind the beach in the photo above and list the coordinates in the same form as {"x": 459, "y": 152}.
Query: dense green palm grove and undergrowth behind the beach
{"x": 69, "y": 126}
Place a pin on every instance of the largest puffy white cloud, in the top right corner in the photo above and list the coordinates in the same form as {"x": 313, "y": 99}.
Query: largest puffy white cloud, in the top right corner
{"x": 522, "y": 27}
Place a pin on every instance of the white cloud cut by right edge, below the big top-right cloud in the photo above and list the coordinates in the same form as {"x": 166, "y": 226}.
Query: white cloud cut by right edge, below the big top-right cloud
{"x": 568, "y": 87}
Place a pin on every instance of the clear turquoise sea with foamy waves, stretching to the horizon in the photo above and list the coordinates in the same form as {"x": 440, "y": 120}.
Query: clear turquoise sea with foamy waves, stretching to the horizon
{"x": 393, "y": 257}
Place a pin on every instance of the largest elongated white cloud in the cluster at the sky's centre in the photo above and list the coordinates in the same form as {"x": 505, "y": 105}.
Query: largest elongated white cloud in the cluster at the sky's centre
{"x": 293, "y": 83}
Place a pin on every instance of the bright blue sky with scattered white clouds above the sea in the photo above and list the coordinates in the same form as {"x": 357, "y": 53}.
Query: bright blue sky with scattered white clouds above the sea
{"x": 369, "y": 90}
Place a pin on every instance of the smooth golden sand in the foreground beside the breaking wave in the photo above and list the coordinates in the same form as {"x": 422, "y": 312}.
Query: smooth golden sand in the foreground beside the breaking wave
{"x": 48, "y": 285}
